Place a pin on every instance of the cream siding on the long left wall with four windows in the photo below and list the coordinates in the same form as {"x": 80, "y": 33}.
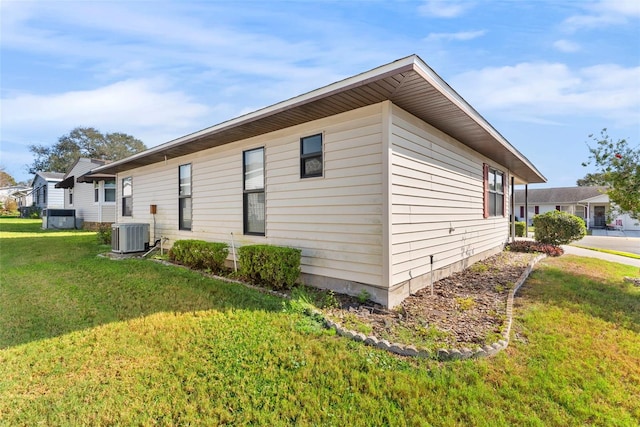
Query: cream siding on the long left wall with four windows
{"x": 336, "y": 219}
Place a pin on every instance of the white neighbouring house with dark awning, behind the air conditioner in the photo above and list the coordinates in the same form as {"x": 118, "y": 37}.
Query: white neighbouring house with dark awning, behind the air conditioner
{"x": 92, "y": 197}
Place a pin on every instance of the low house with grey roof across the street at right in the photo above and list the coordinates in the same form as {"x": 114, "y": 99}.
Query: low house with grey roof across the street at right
{"x": 590, "y": 203}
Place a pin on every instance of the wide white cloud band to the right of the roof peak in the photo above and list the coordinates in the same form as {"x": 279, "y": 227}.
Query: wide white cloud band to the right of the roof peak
{"x": 547, "y": 92}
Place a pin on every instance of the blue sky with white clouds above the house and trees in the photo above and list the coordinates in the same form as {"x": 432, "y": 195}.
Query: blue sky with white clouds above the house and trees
{"x": 545, "y": 74}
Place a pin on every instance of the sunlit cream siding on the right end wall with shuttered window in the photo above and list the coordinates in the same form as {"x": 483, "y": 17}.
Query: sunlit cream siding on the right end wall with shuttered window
{"x": 436, "y": 200}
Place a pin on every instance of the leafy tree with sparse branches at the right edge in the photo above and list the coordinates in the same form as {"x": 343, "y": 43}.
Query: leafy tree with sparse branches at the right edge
{"x": 619, "y": 165}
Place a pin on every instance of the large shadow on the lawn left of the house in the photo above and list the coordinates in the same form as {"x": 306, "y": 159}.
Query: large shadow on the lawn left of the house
{"x": 53, "y": 286}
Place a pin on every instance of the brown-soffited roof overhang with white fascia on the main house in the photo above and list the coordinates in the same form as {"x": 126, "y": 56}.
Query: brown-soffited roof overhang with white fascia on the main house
{"x": 408, "y": 83}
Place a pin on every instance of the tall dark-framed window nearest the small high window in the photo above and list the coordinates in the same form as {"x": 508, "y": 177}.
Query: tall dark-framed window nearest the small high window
{"x": 253, "y": 195}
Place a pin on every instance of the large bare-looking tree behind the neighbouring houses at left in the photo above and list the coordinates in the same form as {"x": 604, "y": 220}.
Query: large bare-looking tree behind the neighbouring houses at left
{"x": 83, "y": 142}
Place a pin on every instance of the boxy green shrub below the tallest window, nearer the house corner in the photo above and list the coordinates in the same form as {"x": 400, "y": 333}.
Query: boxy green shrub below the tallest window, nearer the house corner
{"x": 275, "y": 267}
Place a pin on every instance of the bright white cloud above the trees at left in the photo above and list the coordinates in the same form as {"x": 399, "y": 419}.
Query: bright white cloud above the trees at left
{"x": 145, "y": 108}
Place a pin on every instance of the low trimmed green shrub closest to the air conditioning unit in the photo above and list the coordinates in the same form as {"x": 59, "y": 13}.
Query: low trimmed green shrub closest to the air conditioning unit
{"x": 199, "y": 254}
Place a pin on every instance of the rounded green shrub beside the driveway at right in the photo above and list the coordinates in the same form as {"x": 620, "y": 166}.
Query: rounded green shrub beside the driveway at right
{"x": 558, "y": 228}
